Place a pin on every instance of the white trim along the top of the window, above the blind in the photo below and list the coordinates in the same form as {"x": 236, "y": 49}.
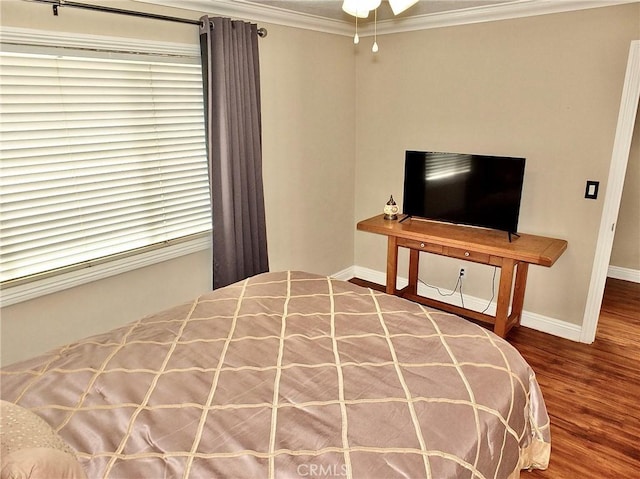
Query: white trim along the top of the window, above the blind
{"x": 43, "y": 38}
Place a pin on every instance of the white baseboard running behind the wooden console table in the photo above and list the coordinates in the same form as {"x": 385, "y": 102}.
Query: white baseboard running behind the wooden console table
{"x": 529, "y": 319}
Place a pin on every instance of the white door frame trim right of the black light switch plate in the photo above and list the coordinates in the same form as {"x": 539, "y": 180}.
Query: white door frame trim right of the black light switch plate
{"x": 615, "y": 184}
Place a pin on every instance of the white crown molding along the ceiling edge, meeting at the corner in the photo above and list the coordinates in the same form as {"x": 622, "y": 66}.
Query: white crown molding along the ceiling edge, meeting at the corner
{"x": 278, "y": 16}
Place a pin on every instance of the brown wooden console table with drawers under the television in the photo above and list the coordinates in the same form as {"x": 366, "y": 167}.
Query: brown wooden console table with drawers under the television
{"x": 470, "y": 244}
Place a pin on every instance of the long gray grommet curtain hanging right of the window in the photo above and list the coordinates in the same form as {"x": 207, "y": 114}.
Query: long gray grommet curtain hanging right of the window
{"x": 231, "y": 75}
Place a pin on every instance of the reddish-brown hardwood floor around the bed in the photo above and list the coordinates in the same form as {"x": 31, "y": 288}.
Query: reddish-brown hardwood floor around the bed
{"x": 592, "y": 391}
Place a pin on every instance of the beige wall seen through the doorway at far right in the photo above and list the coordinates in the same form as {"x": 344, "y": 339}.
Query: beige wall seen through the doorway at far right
{"x": 626, "y": 244}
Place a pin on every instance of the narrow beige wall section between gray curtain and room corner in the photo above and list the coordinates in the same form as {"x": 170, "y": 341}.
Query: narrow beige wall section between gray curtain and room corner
{"x": 308, "y": 116}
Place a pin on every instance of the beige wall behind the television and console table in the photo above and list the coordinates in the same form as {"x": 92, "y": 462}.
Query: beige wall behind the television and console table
{"x": 547, "y": 88}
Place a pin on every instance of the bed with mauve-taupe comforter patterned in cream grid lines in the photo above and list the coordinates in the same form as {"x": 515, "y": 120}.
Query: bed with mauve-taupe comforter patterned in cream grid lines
{"x": 290, "y": 375}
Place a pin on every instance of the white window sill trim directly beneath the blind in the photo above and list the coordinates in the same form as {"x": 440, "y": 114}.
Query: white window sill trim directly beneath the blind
{"x": 60, "y": 282}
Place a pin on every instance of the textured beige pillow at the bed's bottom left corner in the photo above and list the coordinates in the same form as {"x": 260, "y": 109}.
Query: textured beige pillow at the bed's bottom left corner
{"x": 30, "y": 448}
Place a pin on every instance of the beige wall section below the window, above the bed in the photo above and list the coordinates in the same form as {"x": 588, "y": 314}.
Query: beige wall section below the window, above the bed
{"x": 35, "y": 326}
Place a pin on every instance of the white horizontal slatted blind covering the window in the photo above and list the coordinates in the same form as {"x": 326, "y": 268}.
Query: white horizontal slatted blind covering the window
{"x": 99, "y": 156}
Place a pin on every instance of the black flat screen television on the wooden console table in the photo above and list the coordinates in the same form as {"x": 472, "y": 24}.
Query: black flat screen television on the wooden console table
{"x": 468, "y": 189}
